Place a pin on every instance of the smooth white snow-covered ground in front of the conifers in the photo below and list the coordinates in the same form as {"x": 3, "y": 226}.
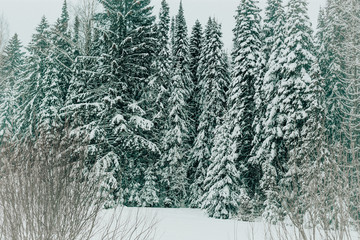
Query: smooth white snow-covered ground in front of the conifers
{"x": 193, "y": 224}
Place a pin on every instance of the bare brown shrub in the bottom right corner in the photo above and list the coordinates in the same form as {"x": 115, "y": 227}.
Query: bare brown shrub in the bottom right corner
{"x": 327, "y": 204}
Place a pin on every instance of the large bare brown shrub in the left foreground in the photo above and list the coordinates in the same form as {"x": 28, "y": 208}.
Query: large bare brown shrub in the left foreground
{"x": 44, "y": 195}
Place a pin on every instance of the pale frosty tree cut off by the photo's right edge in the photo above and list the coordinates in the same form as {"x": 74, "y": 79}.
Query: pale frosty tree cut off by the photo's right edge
{"x": 348, "y": 16}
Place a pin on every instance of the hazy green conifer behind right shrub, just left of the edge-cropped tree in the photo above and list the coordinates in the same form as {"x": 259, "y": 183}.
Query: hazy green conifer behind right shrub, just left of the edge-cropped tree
{"x": 332, "y": 36}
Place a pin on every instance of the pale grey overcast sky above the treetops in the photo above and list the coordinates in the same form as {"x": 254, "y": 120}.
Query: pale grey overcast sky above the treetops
{"x": 24, "y": 15}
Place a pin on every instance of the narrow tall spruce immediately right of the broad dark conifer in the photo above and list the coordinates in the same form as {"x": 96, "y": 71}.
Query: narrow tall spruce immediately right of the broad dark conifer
{"x": 157, "y": 95}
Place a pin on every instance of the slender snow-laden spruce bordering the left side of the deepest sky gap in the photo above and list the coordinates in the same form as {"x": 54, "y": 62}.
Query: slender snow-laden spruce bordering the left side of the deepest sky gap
{"x": 214, "y": 79}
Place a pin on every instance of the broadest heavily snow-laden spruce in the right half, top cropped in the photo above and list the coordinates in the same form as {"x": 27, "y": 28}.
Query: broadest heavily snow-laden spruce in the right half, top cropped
{"x": 294, "y": 110}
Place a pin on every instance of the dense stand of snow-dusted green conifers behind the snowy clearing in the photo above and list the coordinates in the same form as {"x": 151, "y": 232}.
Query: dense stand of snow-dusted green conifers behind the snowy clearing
{"x": 160, "y": 115}
